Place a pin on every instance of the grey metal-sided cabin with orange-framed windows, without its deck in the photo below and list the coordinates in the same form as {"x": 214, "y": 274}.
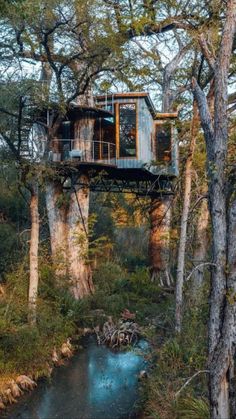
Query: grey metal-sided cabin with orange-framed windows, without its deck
{"x": 144, "y": 139}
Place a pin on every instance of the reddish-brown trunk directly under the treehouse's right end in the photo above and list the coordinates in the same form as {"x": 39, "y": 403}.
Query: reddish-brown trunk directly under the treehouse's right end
{"x": 159, "y": 239}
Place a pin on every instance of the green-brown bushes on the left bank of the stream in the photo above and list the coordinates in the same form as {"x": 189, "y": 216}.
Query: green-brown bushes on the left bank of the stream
{"x": 27, "y": 349}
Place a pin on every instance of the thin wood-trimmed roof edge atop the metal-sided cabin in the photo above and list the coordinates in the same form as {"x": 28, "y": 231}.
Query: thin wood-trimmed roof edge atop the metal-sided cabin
{"x": 135, "y": 95}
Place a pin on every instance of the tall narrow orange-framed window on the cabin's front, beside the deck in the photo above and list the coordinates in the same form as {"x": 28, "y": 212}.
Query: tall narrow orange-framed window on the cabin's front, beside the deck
{"x": 128, "y": 129}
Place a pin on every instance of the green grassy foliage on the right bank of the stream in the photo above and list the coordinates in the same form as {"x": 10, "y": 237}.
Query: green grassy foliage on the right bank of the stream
{"x": 177, "y": 359}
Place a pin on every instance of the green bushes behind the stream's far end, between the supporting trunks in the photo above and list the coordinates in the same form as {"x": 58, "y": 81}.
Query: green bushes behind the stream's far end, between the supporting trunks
{"x": 117, "y": 289}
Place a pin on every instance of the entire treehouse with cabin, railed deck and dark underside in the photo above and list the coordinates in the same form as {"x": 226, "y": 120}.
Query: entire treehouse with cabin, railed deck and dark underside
{"x": 123, "y": 139}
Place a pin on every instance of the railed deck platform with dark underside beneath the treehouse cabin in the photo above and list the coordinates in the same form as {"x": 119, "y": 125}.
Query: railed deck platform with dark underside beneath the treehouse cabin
{"x": 106, "y": 172}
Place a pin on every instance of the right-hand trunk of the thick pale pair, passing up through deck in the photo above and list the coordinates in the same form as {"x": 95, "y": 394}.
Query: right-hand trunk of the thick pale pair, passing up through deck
{"x": 78, "y": 212}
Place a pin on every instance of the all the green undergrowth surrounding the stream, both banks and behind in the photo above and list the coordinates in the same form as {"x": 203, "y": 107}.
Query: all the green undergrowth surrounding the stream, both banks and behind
{"x": 26, "y": 349}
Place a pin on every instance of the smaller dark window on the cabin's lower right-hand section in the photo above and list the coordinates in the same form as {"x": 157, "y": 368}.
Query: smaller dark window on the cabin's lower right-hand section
{"x": 163, "y": 142}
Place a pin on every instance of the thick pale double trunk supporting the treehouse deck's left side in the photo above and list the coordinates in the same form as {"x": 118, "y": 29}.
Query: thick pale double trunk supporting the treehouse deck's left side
{"x": 68, "y": 221}
